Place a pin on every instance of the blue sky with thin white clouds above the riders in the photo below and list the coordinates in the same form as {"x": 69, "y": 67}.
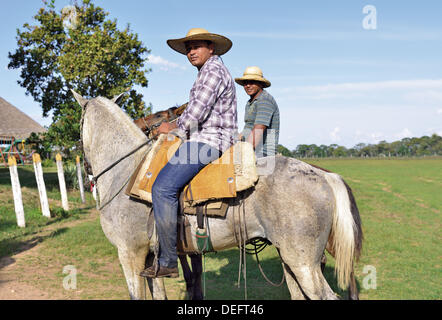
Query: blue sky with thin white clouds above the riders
{"x": 334, "y": 80}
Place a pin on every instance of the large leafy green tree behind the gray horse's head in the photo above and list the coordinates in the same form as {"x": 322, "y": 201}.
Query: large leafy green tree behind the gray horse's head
{"x": 78, "y": 48}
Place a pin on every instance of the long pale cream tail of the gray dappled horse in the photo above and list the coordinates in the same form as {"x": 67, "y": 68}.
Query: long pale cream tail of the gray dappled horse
{"x": 345, "y": 241}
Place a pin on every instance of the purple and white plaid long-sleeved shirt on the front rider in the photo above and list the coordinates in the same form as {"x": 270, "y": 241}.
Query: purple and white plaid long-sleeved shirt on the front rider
{"x": 210, "y": 116}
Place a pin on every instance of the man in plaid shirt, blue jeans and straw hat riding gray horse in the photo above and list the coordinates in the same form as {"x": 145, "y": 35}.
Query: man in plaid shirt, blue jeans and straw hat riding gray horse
{"x": 209, "y": 122}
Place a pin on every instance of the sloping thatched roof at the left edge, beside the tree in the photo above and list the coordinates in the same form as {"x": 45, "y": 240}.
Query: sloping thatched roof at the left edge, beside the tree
{"x": 15, "y": 123}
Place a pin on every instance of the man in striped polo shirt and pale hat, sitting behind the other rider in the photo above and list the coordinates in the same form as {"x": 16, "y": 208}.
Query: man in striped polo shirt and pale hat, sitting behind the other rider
{"x": 261, "y": 115}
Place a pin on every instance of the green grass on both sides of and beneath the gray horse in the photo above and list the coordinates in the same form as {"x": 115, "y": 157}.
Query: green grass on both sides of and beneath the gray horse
{"x": 400, "y": 201}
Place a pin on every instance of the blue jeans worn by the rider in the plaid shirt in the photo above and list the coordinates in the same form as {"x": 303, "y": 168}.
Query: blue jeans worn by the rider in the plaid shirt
{"x": 189, "y": 159}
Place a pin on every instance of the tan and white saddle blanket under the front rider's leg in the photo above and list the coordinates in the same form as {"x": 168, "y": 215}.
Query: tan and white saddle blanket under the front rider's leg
{"x": 235, "y": 171}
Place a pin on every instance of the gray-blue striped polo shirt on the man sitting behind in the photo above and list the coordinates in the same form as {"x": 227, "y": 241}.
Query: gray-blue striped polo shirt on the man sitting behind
{"x": 263, "y": 110}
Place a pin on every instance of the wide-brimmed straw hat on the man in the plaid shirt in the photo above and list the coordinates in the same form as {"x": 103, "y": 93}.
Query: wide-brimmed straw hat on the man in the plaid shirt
{"x": 222, "y": 44}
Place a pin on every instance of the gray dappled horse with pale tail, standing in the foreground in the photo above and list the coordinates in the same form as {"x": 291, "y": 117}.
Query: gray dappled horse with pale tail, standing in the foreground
{"x": 302, "y": 210}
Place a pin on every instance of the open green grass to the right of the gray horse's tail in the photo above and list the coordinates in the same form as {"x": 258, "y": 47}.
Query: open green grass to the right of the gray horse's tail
{"x": 400, "y": 202}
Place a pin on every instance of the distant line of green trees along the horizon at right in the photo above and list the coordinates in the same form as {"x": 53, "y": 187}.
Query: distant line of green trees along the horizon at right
{"x": 407, "y": 147}
